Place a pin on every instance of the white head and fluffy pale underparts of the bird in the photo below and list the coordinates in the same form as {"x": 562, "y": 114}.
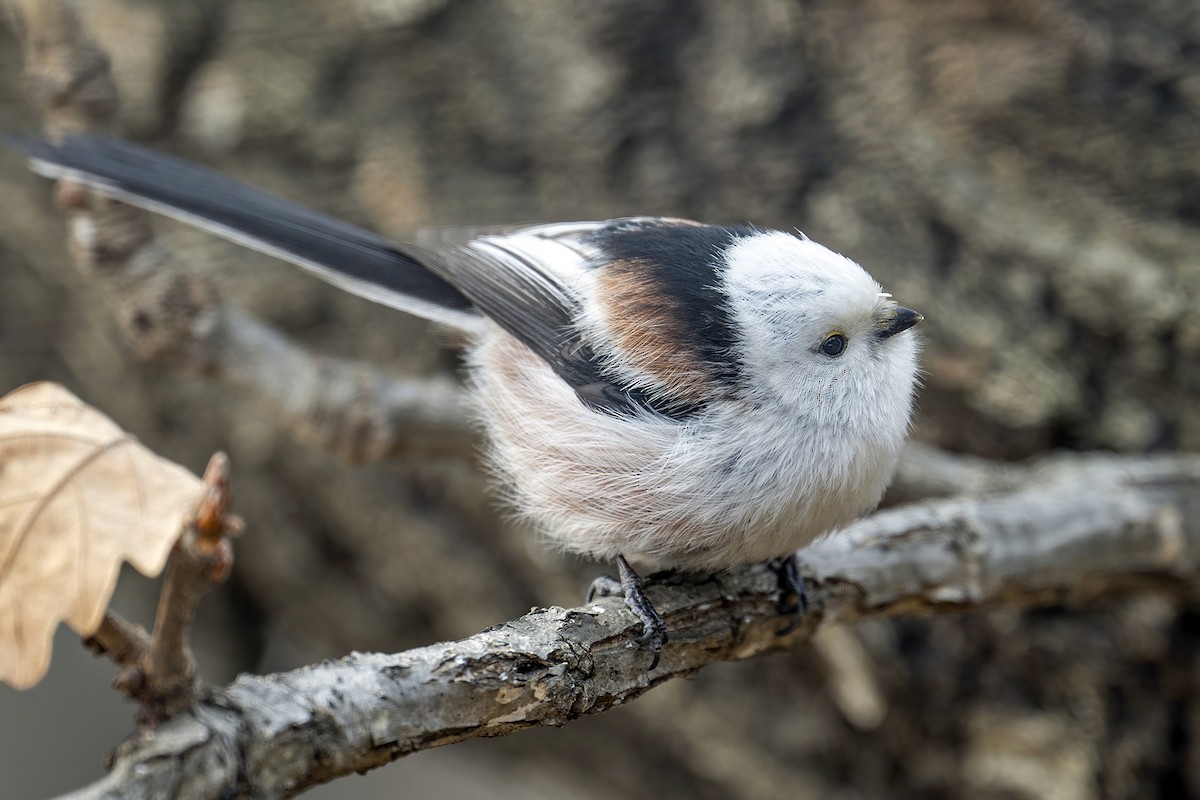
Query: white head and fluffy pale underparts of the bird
{"x": 807, "y": 449}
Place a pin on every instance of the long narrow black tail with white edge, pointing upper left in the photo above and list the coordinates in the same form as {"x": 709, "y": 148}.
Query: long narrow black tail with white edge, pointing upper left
{"x": 349, "y": 257}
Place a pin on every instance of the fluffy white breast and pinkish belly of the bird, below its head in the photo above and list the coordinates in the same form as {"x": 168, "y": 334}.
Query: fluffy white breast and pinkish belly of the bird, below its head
{"x": 739, "y": 484}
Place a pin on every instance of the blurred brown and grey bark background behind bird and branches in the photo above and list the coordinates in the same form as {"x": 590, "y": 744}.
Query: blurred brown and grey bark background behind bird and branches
{"x": 1027, "y": 173}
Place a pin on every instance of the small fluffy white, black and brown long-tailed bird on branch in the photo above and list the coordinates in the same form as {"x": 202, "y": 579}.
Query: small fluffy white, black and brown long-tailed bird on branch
{"x": 653, "y": 390}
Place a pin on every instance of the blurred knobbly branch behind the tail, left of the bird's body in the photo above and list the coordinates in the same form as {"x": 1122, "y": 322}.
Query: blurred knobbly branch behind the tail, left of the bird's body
{"x": 179, "y": 318}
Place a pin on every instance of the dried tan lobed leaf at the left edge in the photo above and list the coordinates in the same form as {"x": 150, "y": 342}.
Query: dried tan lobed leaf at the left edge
{"x": 79, "y": 497}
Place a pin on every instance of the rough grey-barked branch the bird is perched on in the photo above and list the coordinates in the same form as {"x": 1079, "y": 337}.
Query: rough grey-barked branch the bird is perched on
{"x": 1081, "y": 528}
